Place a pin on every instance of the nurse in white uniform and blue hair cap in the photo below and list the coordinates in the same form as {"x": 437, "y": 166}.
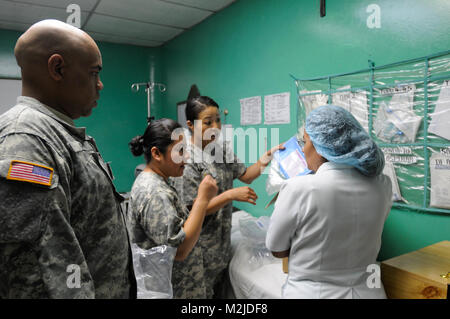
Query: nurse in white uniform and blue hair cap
{"x": 330, "y": 223}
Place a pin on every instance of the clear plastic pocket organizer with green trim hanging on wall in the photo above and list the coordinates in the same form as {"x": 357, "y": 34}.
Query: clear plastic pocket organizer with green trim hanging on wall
{"x": 405, "y": 107}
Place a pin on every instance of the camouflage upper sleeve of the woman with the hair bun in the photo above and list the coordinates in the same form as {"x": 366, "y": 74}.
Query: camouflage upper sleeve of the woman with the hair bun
{"x": 161, "y": 221}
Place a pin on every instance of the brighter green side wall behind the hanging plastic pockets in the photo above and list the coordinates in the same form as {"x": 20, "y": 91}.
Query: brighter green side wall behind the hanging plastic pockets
{"x": 251, "y": 47}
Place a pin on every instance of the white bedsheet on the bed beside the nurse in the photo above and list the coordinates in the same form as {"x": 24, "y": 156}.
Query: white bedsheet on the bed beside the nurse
{"x": 247, "y": 280}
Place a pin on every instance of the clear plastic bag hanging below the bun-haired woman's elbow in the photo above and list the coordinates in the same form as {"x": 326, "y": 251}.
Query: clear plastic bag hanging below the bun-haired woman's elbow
{"x": 153, "y": 271}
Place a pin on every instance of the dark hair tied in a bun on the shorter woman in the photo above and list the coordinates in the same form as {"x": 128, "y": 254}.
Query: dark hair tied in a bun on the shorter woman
{"x": 158, "y": 134}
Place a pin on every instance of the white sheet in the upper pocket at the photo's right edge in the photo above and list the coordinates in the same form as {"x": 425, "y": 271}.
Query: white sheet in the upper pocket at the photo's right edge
{"x": 440, "y": 119}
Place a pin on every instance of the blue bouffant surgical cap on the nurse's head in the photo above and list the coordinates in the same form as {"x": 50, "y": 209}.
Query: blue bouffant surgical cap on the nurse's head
{"x": 338, "y": 137}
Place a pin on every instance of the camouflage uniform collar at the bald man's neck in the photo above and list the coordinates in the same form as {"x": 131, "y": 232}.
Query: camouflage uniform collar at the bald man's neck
{"x": 66, "y": 121}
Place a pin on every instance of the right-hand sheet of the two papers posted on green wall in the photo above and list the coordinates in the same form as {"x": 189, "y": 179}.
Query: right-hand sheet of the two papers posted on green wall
{"x": 277, "y": 108}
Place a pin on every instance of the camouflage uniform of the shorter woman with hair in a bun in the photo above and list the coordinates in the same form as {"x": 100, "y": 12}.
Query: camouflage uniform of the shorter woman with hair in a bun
{"x": 156, "y": 218}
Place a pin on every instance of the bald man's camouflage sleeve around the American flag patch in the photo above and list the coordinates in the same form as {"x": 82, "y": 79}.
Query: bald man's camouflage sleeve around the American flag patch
{"x": 38, "y": 248}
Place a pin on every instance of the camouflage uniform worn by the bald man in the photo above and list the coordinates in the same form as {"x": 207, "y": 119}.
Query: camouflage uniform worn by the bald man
{"x": 75, "y": 220}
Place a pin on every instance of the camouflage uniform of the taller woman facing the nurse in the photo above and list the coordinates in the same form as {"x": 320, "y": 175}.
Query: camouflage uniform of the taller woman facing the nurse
{"x": 215, "y": 238}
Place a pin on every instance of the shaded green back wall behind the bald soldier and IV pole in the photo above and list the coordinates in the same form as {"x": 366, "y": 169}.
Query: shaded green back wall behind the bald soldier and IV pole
{"x": 121, "y": 113}
